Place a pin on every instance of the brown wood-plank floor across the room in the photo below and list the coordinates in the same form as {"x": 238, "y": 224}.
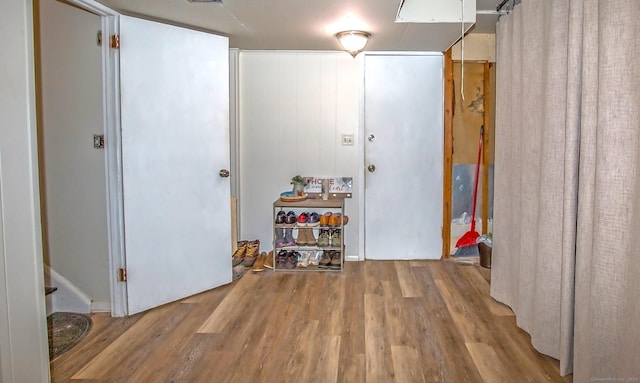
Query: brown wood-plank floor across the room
{"x": 377, "y": 321}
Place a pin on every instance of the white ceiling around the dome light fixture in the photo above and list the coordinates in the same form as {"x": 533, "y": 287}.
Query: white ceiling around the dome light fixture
{"x": 306, "y": 24}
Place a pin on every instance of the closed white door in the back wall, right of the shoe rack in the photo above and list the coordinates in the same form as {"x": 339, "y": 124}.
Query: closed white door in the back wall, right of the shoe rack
{"x": 403, "y": 133}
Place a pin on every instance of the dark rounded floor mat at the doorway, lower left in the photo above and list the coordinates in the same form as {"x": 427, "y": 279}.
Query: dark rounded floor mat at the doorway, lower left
{"x": 65, "y": 331}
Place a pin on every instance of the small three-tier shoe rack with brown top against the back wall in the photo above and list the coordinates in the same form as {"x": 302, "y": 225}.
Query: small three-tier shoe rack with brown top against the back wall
{"x": 321, "y": 207}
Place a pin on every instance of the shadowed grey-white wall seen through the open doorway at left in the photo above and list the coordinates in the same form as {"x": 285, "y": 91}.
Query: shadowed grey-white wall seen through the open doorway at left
{"x": 74, "y": 172}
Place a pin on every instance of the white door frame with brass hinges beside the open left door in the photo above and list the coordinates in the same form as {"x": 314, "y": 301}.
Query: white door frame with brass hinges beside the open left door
{"x": 113, "y": 148}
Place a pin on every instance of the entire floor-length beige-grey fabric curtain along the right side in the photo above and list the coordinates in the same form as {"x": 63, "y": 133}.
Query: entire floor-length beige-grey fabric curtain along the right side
{"x": 567, "y": 181}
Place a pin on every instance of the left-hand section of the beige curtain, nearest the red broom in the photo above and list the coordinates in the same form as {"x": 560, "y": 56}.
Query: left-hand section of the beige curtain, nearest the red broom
{"x": 535, "y": 182}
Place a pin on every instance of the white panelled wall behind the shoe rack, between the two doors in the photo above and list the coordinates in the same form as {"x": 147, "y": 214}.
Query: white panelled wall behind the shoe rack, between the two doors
{"x": 294, "y": 107}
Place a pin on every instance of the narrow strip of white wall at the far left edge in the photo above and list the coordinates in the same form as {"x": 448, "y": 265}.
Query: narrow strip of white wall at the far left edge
{"x": 23, "y": 336}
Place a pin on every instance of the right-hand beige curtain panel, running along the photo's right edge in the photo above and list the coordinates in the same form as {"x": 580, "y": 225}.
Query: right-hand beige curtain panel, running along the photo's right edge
{"x": 607, "y": 309}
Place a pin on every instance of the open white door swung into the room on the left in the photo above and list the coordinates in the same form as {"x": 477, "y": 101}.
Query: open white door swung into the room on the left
{"x": 175, "y": 140}
